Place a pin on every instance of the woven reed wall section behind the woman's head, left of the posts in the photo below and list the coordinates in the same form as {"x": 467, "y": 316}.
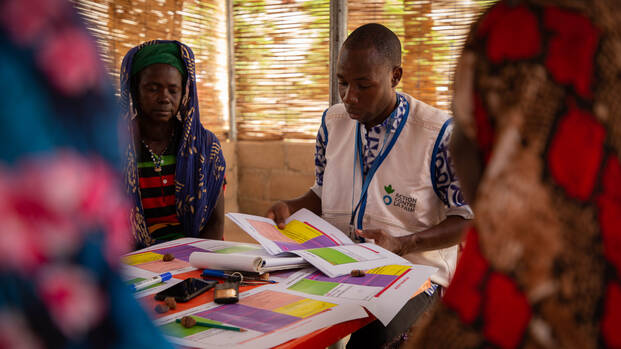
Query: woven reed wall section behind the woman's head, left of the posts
{"x": 119, "y": 25}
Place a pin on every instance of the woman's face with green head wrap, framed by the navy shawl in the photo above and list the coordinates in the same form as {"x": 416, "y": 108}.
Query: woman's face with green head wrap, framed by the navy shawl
{"x": 157, "y": 81}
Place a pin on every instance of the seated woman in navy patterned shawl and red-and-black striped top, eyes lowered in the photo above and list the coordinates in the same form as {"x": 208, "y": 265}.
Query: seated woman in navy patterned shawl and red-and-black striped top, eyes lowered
{"x": 174, "y": 167}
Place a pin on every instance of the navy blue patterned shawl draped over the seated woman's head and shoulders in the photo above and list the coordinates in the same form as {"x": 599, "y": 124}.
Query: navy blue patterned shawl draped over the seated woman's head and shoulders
{"x": 199, "y": 172}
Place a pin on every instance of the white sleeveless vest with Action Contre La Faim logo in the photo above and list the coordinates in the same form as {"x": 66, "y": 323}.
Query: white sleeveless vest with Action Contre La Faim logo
{"x": 400, "y": 199}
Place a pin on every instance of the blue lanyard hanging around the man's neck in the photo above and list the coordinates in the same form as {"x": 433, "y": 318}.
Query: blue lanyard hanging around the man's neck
{"x": 362, "y": 202}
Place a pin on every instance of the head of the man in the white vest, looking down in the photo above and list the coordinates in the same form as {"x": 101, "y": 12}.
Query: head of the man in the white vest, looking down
{"x": 368, "y": 70}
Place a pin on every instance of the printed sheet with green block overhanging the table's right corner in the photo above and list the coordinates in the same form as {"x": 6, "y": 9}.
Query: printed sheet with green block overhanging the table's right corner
{"x": 383, "y": 291}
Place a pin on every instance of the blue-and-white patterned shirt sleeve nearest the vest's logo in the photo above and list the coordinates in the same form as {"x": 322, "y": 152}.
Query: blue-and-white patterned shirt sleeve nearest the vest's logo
{"x": 443, "y": 177}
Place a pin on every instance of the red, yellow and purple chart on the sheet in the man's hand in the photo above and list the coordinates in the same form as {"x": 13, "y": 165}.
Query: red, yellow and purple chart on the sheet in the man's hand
{"x": 296, "y": 235}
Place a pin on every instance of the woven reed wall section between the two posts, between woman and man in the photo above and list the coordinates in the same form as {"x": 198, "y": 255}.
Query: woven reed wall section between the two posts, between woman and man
{"x": 281, "y": 67}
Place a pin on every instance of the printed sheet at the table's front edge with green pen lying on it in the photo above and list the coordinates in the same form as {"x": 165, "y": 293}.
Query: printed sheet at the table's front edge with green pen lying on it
{"x": 268, "y": 317}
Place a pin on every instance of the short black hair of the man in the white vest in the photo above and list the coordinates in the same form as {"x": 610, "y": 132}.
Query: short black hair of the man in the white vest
{"x": 379, "y": 37}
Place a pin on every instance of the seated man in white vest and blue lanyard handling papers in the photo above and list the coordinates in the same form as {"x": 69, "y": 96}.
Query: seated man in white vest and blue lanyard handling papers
{"x": 383, "y": 171}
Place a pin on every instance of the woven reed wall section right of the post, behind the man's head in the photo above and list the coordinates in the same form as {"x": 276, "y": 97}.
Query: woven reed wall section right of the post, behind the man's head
{"x": 432, "y": 35}
